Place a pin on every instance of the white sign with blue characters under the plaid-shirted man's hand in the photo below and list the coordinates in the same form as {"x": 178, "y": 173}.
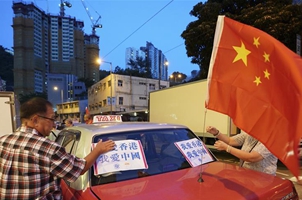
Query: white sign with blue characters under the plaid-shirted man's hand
{"x": 128, "y": 155}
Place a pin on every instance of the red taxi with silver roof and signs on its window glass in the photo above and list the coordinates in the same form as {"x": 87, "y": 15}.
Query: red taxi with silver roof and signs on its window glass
{"x": 169, "y": 174}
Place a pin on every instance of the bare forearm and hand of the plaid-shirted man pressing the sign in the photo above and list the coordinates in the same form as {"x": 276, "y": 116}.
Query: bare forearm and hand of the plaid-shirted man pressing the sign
{"x": 101, "y": 147}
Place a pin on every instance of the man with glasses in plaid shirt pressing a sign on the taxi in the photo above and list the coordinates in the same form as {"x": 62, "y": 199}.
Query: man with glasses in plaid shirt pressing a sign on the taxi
{"x": 31, "y": 165}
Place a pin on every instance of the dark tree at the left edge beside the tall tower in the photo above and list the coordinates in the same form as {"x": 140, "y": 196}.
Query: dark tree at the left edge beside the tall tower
{"x": 7, "y": 66}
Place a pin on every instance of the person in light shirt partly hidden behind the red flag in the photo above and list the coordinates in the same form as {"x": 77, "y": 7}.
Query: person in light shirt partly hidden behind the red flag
{"x": 253, "y": 154}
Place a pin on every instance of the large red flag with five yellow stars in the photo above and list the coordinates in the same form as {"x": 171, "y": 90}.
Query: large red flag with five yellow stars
{"x": 257, "y": 81}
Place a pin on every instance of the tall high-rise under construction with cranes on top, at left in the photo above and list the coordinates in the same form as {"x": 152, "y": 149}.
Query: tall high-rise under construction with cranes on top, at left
{"x": 54, "y": 44}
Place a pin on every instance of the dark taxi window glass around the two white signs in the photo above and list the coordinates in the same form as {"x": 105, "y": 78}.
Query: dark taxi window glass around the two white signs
{"x": 161, "y": 153}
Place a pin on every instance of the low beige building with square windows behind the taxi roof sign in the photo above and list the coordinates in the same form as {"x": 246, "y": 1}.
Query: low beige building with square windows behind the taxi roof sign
{"x": 119, "y": 93}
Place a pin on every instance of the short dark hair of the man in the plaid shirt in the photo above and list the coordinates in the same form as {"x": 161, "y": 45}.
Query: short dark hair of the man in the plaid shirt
{"x": 35, "y": 105}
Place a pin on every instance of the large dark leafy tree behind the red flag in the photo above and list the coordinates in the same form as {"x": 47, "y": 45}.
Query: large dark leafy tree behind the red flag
{"x": 279, "y": 18}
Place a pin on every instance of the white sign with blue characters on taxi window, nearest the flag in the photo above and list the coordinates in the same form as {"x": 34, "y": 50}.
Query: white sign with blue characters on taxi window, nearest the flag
{"x": 194, "y": 151}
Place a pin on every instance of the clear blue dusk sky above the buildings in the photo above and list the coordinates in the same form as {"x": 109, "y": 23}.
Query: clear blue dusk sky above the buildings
{"x": 125, "y": 24}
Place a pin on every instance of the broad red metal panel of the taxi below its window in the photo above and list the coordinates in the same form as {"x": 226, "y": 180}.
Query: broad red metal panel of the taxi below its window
{"x": 220, "y": 181}
